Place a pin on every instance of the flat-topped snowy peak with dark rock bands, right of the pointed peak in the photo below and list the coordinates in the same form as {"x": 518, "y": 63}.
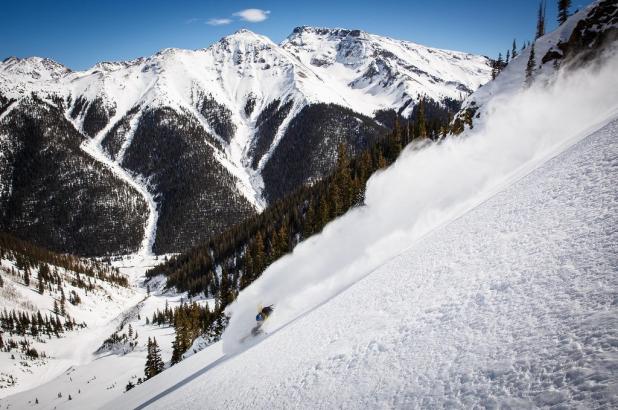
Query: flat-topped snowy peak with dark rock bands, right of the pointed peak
{"x": 372, "y": 72}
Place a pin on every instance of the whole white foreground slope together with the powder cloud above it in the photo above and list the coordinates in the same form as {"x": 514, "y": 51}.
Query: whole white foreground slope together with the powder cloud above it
{"x": 488, "y": 281}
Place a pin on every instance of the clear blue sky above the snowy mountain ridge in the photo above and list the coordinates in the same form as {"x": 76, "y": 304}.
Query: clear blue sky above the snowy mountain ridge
{"x": 82, "y": 33}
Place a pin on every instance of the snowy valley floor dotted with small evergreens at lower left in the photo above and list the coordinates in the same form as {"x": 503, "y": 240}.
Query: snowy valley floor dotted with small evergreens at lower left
{"x": 105, "y": 350}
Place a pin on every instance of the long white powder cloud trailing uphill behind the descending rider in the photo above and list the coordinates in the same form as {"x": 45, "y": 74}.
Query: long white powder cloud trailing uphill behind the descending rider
{"x": 429, "y": 187}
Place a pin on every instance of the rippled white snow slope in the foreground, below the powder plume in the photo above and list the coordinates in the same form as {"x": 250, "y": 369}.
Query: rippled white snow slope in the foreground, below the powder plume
{"x": 532, "y": 321}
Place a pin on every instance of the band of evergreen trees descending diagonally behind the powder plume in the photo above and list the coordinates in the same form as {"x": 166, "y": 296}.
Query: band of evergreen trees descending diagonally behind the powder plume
{"x": 232, "y": 260}
